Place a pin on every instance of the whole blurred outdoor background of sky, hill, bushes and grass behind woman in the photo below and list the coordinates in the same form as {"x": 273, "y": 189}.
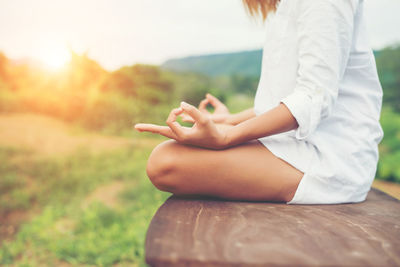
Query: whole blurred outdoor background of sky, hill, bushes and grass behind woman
{"x": 74, "y": 78}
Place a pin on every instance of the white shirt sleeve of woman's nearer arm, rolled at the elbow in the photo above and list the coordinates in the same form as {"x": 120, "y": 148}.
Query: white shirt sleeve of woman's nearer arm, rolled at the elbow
{"x": 324, "y": 35}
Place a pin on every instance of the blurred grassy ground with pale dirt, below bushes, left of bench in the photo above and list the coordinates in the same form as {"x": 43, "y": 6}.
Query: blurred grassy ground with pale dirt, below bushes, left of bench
{"x": 69, "y": 197}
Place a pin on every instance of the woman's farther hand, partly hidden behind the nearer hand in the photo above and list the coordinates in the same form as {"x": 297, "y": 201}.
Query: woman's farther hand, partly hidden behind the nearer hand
{"x": 220, "y": 114}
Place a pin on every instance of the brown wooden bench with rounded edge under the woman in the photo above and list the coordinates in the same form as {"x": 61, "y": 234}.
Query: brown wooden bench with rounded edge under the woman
{"x": 210, "y": 232}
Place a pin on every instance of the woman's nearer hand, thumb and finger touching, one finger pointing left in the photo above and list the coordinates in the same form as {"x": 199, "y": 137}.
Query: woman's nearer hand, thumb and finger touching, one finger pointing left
{"x": 203, "y": 133}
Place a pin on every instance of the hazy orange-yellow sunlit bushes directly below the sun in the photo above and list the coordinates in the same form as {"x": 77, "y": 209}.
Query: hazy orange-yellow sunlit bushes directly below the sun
{"x": 86, "y": 94}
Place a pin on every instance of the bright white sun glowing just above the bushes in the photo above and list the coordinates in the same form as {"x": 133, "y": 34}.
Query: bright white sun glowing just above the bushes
{"x": 54, "y": 56}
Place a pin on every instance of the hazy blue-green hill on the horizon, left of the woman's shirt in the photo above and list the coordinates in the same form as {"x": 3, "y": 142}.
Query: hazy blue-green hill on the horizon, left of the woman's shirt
{"x": 247, "y": 63}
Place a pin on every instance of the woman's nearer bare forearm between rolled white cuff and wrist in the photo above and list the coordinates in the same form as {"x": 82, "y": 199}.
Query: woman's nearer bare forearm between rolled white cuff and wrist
{"x": 277, "y": 120}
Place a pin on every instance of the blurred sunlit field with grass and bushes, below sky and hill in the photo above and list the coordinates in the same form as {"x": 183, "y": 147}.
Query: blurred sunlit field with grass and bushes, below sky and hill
{"x": 73, "y": 186}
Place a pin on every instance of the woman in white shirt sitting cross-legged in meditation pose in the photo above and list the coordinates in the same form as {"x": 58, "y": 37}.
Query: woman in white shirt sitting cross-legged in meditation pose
{"x": 313, "y": 133}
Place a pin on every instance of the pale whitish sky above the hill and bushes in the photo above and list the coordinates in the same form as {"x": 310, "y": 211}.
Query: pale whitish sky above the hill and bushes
{"x": 125, "y": 32}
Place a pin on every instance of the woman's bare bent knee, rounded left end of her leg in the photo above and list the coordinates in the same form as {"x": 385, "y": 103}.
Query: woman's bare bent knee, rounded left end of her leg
{"x": 161, "y": 166}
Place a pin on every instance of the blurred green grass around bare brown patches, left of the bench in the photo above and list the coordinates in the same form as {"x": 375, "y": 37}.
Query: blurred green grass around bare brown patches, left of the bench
{"x": 63, "y": 231}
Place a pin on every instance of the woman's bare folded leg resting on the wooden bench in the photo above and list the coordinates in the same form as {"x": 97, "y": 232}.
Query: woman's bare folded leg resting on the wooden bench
{"x": 246, "y": 172}
